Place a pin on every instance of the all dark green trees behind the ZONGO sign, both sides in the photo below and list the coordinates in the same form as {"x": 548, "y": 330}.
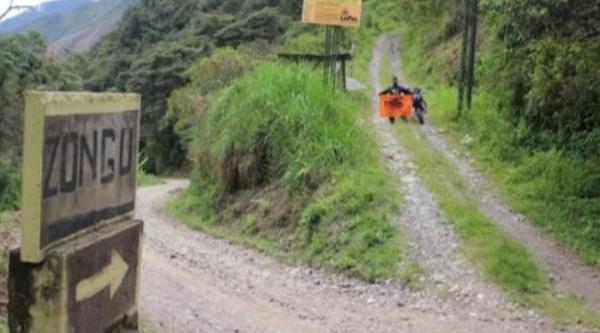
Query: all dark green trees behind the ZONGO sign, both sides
{"x": 149, "y": 53}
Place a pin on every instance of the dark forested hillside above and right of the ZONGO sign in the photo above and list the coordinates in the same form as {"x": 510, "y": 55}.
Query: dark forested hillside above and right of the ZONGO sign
{"x": 157, "y": 41}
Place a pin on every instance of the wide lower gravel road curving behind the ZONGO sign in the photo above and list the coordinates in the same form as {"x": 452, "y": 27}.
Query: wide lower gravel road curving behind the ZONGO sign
{"x": 194, "y": 283}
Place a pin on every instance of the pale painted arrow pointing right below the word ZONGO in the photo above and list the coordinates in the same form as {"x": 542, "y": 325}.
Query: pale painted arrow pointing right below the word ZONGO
{"x": 111, "y": 275}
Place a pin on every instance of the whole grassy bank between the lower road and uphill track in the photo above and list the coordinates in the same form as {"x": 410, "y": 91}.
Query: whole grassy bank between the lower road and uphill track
{"x": 328, "y": 199}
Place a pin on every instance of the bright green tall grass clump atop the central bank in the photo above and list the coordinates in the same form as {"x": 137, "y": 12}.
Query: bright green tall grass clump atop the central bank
{"x": 298, "y": 134}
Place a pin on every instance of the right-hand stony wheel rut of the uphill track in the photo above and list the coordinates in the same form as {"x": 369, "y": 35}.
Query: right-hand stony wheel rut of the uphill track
{"x": 569, "y": 275}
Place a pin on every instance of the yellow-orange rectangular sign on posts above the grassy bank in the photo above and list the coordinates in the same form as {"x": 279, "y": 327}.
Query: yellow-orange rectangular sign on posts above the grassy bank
{"x": 344, "y": 13}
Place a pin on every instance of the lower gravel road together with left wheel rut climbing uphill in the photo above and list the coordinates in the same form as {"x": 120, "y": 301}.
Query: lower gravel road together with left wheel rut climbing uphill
{"x": 194, "y": 283}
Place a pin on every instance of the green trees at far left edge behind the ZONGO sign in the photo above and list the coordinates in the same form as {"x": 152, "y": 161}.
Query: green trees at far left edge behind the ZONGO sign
{"x": 24, "y": 65}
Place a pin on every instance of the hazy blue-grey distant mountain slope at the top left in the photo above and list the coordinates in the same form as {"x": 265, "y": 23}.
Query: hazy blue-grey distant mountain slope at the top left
{"x": 73, "y": 24}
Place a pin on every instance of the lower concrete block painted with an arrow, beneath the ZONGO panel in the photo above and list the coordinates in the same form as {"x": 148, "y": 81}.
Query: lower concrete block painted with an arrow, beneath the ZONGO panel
{"x": 88, "y": 285}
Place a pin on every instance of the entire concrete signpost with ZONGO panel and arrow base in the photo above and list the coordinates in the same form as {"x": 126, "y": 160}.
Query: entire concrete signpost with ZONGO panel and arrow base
{"x": 78, "y": 266}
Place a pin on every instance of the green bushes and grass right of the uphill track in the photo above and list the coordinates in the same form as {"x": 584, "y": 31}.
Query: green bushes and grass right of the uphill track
{"x": 535, "y": 124}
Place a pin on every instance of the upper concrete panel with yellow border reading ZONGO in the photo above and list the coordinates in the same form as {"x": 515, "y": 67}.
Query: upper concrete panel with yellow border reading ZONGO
{"x": 79, "y": 165}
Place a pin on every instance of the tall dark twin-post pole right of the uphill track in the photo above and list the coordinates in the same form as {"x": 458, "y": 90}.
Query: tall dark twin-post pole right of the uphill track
{"x": 468, "y": 55}
